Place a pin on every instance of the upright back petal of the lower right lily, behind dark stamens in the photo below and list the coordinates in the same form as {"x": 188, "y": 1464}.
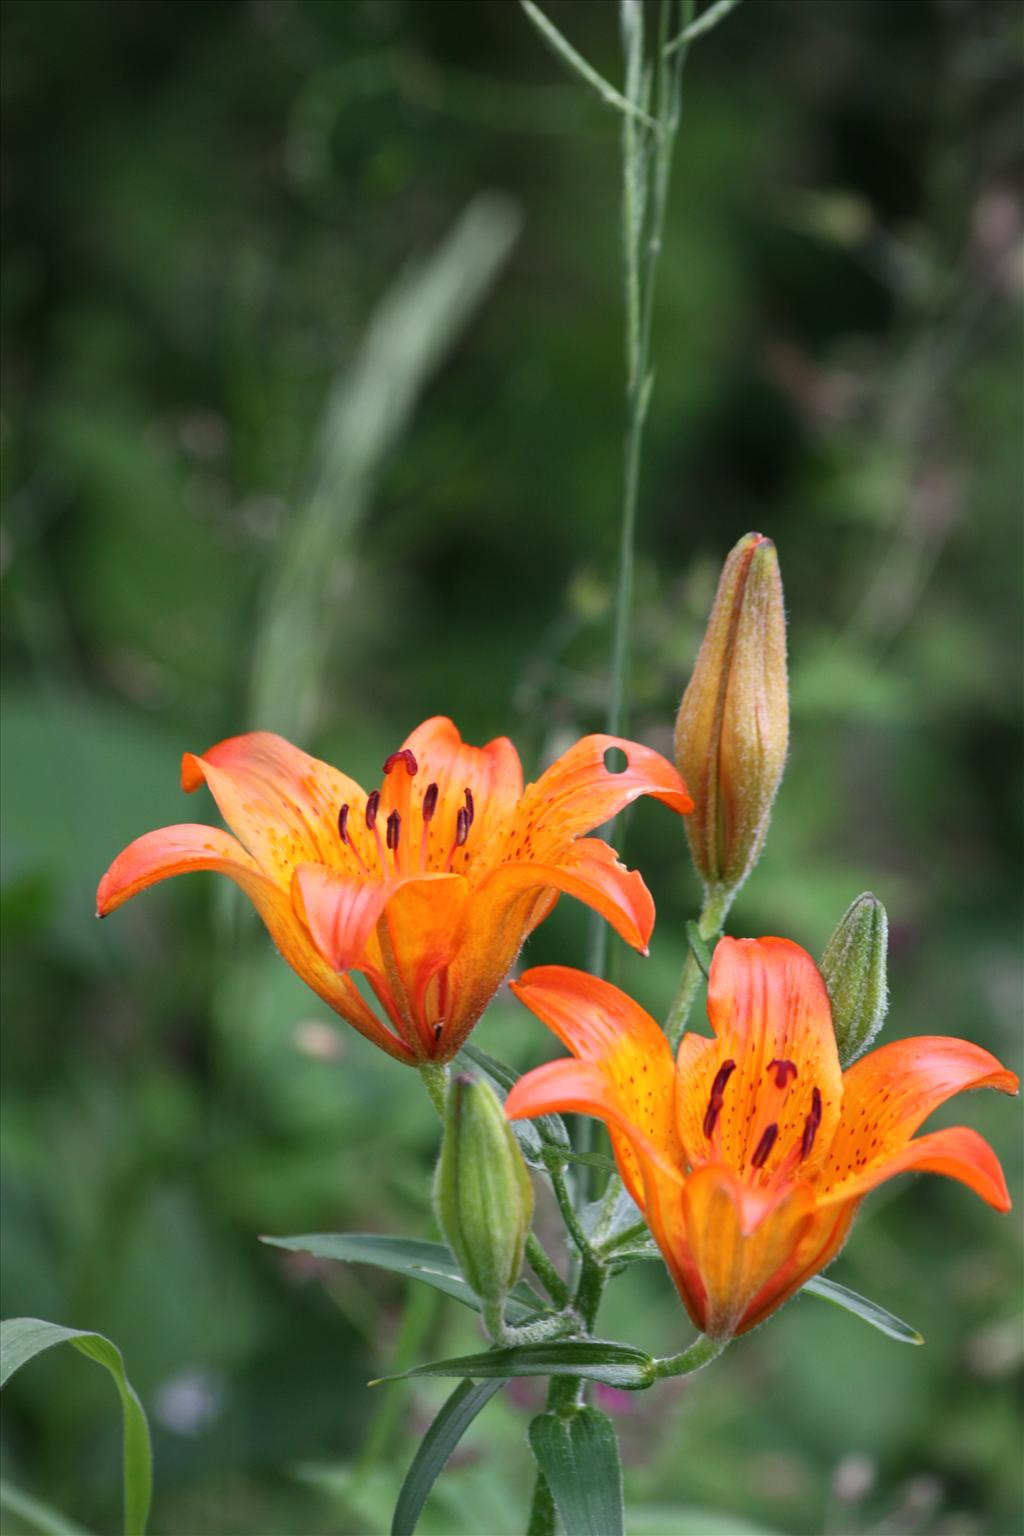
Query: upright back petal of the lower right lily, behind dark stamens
{"x": 767, "y": 1004}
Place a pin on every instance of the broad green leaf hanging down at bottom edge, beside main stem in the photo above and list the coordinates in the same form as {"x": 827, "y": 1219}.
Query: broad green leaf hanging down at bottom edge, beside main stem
{"x": 580, "y": 1457}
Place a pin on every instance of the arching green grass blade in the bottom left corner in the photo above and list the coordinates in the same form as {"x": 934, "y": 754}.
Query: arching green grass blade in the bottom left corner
{"x": 24, "y": 1339}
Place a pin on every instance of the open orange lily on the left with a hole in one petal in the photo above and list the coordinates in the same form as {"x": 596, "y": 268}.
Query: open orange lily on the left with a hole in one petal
{"x": 428, "y": 886}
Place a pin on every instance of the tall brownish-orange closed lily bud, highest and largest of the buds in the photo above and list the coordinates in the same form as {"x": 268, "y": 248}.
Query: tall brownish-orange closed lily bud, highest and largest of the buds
{"x": 733, "y": 726}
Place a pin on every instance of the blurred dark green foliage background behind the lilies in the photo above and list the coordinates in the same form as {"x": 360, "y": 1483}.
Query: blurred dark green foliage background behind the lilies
{"x": 312, "y": 420}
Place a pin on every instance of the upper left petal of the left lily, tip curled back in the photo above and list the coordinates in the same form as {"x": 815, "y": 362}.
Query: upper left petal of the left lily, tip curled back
{"x": 279, "y": 801}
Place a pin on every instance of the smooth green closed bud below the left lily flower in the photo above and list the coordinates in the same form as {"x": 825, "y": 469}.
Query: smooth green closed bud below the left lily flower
{"x": 483, "y": 1193}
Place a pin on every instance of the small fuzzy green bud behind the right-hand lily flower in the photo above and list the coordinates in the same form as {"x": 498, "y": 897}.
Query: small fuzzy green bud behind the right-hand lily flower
{"x": 854, "y": 970}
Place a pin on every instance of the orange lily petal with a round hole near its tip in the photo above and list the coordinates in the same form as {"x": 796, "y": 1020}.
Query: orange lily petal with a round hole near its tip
{"x": 580, "y": 792}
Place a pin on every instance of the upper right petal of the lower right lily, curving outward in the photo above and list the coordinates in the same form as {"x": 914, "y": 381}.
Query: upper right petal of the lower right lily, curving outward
{"x": 890, "y": 1093}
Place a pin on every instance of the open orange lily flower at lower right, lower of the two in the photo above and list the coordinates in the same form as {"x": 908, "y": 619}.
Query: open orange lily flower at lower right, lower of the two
{"x": 751, "y": 1153}
